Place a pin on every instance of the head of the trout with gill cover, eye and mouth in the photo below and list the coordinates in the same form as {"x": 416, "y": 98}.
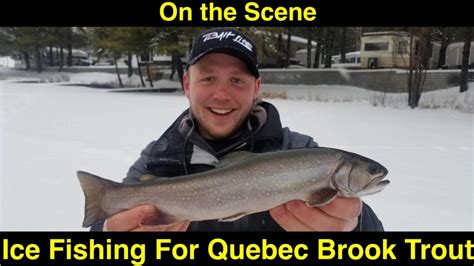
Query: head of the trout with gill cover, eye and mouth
{"x": 357, "y": 176}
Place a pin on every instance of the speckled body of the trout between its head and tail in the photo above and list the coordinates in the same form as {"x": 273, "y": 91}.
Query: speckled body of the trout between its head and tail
{"x": 243, "y": 187}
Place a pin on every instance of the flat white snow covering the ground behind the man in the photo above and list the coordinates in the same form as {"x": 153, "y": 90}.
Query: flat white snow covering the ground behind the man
{"x": 49, "y": 131}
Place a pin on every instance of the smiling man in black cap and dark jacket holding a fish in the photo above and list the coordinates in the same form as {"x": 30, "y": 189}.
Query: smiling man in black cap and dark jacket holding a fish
{"x": 222, "y": 84}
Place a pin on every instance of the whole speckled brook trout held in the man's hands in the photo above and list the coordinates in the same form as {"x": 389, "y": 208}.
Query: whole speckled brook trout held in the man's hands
{"x": 242, "y": 183}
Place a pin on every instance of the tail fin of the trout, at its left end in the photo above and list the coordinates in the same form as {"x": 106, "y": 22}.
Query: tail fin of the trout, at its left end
{"x": 93, "y": 187}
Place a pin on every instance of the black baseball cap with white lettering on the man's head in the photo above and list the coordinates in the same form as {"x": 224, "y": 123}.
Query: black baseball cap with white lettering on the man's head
{"x": 227, "y": 41}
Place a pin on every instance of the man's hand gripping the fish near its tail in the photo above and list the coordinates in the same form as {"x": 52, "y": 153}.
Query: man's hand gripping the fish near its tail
{"x": 139, "y": 219}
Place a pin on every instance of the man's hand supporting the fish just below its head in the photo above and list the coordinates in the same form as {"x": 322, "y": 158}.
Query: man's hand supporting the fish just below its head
{"x": 338, "y": 215}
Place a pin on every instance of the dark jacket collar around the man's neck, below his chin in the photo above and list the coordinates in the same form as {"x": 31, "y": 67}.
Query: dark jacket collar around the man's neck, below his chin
{"x": 182, "y": 141}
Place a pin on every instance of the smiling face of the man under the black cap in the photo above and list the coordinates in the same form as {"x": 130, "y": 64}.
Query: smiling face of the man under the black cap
{"x": 221, "y": 91}
